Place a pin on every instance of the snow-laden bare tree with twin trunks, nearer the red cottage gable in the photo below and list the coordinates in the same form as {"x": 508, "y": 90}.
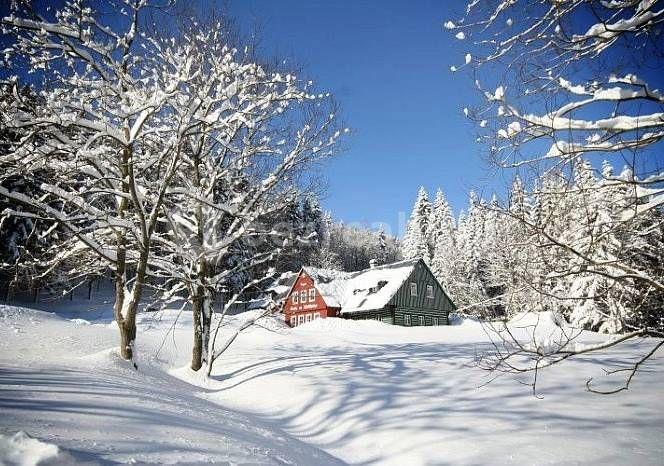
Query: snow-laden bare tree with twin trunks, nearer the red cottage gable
{"x": 247, "y": 135}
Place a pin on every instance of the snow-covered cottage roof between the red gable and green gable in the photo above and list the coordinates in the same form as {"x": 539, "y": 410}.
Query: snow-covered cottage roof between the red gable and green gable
{"x": 361, "y": 291}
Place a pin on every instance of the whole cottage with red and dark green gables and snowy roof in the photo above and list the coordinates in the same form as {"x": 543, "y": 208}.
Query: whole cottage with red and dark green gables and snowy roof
{"x": 403, "y": 293}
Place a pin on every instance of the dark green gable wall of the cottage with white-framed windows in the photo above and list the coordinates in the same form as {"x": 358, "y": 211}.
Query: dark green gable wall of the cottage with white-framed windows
{"x": 438, "y": 306}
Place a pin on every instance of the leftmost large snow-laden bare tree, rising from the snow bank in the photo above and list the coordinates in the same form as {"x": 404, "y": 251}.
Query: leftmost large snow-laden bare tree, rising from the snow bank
{"x": 106, "y": 133}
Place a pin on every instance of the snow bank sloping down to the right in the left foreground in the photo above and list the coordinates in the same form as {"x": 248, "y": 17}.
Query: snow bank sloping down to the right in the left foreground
{"x": 62, "y": 382}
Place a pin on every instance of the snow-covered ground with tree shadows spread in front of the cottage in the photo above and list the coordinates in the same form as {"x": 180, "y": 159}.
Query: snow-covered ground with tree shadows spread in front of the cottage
{"x": 327, "y": 392}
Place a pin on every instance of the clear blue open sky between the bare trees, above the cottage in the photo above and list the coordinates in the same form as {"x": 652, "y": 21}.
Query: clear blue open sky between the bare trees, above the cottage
{"x": 388, "y": 64}
